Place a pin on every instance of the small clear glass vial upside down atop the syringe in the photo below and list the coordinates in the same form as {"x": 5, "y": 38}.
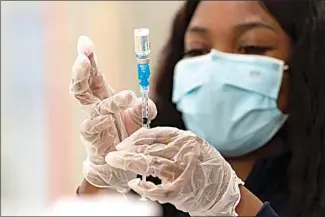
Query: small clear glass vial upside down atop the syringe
{"x": 141, "y": 41}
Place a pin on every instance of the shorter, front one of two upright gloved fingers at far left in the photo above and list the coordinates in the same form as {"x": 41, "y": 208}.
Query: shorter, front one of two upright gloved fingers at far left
{"x": 79, "y": 87}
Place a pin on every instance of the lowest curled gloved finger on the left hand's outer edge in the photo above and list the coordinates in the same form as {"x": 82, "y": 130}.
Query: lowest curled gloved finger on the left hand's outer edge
{"x": 96, "y": 125}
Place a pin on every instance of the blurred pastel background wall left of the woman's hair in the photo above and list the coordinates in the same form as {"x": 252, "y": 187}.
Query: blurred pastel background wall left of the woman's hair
{"x": 41, "y": 154}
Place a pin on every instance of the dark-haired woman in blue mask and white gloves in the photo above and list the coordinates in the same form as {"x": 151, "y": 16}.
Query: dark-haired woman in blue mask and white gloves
{"x": 264, "y": 115}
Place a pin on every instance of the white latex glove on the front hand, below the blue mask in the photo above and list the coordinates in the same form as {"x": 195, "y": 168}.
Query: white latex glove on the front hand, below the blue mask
{"x": 195, "y": 177}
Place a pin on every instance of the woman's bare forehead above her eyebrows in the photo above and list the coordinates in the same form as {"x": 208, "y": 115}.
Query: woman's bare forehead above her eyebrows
{"x": 217, "y": 16}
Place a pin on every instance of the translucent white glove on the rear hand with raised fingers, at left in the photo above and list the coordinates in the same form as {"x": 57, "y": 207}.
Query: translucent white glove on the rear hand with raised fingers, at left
{"x": 110, "y": 118}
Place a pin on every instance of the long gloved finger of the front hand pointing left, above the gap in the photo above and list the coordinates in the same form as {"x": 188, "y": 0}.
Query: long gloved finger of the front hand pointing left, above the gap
{"x": 145, "y": 164}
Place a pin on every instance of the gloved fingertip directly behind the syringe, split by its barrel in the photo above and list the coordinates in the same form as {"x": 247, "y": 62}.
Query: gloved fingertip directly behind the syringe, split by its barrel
{"x": 134, "y": 115}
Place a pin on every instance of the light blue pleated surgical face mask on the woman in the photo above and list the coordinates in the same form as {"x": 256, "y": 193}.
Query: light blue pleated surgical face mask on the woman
{"x": 230, "y": 100}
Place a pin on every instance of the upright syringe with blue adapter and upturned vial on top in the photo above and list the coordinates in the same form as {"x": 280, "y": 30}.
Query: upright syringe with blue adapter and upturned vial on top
{"x": 142, "y": 51}
